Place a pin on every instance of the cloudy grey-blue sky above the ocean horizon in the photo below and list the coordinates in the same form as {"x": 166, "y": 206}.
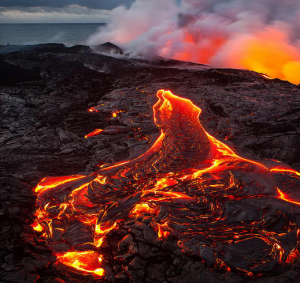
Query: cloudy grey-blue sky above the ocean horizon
{"x": 58, "y": 11}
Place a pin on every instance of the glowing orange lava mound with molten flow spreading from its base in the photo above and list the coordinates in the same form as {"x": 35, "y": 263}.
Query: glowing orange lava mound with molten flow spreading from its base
{"x": 227, "y": 210}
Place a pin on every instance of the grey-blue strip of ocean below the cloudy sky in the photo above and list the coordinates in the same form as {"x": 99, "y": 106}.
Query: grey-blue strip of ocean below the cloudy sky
{"x": 23, "y": 34}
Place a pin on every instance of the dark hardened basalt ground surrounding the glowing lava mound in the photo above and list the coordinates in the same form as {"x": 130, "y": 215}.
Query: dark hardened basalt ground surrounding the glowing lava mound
{"x": 44, "y": 120}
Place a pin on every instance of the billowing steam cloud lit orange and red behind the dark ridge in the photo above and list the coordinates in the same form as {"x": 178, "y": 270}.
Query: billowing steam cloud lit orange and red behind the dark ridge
{"x": 258, "y": 35}
